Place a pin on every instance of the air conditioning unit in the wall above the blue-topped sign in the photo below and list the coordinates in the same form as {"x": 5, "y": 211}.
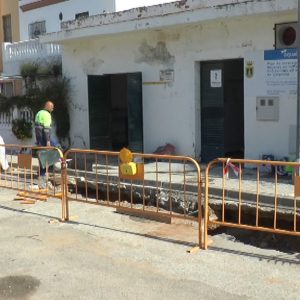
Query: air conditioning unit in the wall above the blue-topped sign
{"x": 286, "y": 35}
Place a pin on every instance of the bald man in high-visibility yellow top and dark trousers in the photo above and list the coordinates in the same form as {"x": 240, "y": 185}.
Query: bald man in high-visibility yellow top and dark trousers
{"x": 43, "y": 122}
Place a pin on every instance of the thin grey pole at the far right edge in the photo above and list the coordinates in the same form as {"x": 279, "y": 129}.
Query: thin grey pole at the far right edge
{"x": 298, "y": 90}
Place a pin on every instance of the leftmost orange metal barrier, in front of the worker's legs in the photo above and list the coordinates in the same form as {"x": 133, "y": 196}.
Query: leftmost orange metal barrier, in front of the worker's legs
{"x": 19, "y": 170}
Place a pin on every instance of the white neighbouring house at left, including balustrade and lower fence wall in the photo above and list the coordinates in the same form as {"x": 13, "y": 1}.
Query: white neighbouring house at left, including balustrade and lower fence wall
{"x": 38, "y": 17}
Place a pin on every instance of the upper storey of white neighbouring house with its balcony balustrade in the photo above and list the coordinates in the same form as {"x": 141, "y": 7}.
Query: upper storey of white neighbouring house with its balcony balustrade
{"x": 39, "y": 17}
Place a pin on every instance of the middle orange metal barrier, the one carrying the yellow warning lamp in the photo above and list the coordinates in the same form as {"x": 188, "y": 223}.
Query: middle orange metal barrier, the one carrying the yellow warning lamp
{"x": 166, "y": 186}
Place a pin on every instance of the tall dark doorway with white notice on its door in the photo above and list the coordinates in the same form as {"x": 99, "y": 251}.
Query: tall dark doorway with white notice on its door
{"x": 222, "y": 109}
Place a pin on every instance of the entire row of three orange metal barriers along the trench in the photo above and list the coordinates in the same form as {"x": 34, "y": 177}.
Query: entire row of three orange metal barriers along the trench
{"x": 245, "y": 194}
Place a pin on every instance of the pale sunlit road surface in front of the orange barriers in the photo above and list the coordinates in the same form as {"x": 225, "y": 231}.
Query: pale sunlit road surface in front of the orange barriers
{"x": 104, "y": 255}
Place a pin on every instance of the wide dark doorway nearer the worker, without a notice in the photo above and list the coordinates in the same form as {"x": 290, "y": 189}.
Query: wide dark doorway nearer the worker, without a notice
{"x": 115, "y": 111}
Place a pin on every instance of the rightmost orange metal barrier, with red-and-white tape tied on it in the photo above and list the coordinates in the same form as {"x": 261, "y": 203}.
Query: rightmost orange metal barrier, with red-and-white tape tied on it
{"x": 254, "y": 195}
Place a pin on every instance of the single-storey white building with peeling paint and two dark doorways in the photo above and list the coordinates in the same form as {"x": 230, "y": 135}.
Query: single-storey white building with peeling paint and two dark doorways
{"x": 204, "y": 76}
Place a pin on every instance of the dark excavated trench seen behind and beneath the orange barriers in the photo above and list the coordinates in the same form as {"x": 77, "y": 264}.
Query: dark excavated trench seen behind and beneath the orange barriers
{"x": 284, "y": 219}
